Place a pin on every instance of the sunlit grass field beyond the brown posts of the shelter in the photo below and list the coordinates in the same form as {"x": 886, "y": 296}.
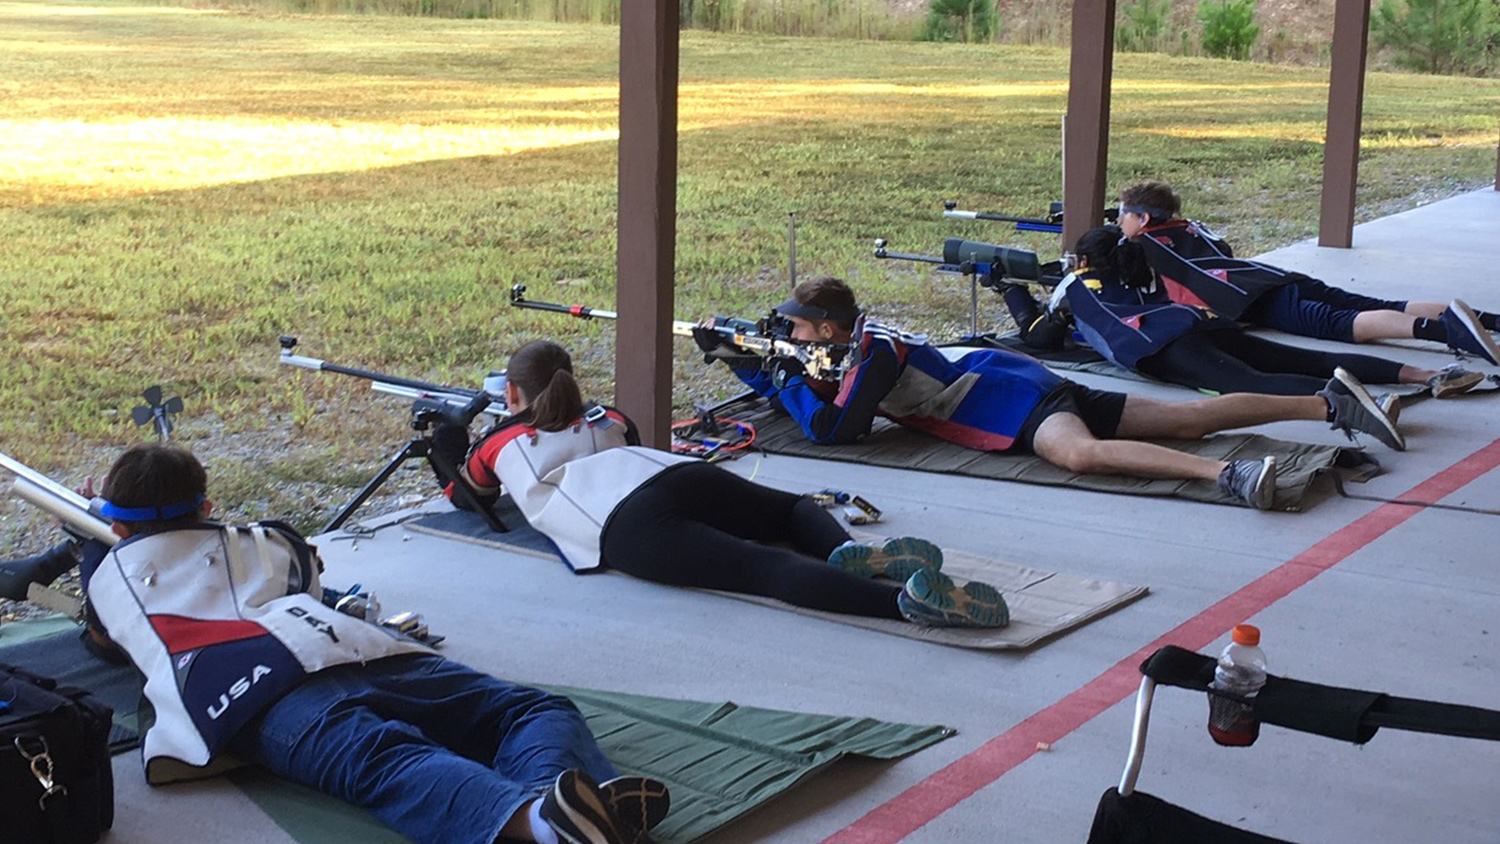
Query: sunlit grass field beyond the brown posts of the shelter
{"x": 181, "y": 187}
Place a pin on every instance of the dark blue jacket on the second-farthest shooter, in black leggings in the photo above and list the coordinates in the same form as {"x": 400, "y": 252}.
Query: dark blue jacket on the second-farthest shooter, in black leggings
{"x": 1127, "y": 325}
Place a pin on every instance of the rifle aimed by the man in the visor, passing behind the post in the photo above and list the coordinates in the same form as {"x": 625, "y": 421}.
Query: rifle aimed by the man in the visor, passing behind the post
{"x": 767, "y": 338}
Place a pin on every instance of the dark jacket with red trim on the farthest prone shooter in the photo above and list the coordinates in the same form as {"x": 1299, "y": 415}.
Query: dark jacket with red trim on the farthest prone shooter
{"x": 1196, "y": 268}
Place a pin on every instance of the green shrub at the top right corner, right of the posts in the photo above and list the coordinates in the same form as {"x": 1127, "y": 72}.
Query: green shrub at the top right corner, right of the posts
{"x": 1439, "y": 37}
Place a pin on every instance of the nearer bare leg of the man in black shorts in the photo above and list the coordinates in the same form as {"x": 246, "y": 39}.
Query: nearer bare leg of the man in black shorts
{"x": 1066, "y": 441}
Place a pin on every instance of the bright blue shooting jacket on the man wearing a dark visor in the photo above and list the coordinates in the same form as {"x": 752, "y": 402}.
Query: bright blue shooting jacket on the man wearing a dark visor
{"x": 979, "y": 401}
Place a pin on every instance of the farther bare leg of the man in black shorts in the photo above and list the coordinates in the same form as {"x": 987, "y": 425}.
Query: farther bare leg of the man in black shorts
{"x": 1192, "y": 421}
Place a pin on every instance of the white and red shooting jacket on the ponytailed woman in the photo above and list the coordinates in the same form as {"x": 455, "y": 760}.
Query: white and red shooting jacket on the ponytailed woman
{"x": 569, "y": 483}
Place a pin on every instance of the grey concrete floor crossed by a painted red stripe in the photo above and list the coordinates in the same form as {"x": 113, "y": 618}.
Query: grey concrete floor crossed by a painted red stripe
{"x": 1348, "y": 593}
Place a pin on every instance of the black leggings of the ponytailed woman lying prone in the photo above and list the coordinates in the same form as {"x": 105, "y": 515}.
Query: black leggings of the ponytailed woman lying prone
{"x": 698, "y": 525}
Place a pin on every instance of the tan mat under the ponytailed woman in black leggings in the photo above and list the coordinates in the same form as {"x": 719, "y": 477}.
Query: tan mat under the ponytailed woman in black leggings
{"x": 1043, "y": 603}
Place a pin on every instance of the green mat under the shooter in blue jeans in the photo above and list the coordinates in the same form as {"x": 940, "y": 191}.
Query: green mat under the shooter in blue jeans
{"x": 721, "y": 759}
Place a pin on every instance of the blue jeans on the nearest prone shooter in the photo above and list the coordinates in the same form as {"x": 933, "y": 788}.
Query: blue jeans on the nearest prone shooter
{"x": 436, "y": 750}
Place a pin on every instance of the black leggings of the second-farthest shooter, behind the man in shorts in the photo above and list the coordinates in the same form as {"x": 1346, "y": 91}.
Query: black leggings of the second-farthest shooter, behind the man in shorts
{"x": 1237, "y": 362}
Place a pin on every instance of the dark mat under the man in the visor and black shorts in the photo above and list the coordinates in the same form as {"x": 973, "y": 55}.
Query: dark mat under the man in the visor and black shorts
{"x": 889, "y": 444}
